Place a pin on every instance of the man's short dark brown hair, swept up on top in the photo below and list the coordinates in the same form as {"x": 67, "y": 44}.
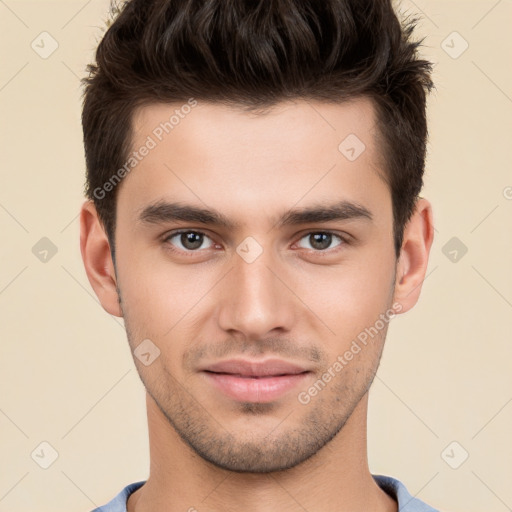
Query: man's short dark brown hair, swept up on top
{"x": 254, "y": 54}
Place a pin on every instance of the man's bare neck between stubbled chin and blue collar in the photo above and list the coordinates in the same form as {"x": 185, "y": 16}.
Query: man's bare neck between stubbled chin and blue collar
{"x": 336, "y": 478}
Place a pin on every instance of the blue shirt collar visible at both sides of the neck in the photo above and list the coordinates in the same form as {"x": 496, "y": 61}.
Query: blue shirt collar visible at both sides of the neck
{"x": 395, "y": 488}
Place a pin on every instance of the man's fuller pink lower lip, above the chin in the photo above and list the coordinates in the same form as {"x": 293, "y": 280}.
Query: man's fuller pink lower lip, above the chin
{"x": 250, "y": 389}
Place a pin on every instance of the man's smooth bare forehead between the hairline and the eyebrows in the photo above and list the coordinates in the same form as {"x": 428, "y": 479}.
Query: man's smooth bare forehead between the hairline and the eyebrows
{"x": 243, "y": 163}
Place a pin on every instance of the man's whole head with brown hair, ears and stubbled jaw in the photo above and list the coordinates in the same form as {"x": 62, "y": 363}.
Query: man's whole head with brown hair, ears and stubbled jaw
{"x": 288, "y": 140}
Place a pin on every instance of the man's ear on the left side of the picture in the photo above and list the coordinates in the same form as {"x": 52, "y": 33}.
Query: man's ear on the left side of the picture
{"x": 95, "y": 249}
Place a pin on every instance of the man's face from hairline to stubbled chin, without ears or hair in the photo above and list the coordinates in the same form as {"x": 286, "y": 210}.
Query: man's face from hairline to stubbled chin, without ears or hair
{"x": 260, "y": 289}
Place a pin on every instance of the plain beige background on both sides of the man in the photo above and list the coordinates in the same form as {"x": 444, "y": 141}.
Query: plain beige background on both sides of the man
{"x": 67, "y": 377}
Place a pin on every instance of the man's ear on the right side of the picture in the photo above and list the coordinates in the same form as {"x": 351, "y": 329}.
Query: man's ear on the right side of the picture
{"x": 413, "y": 260}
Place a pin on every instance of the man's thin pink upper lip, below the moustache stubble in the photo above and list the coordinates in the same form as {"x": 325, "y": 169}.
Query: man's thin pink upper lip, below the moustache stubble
{"x": 247, "y": 368}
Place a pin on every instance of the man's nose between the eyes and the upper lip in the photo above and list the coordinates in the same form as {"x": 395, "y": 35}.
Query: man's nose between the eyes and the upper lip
{"x": 256, "y": 298}
